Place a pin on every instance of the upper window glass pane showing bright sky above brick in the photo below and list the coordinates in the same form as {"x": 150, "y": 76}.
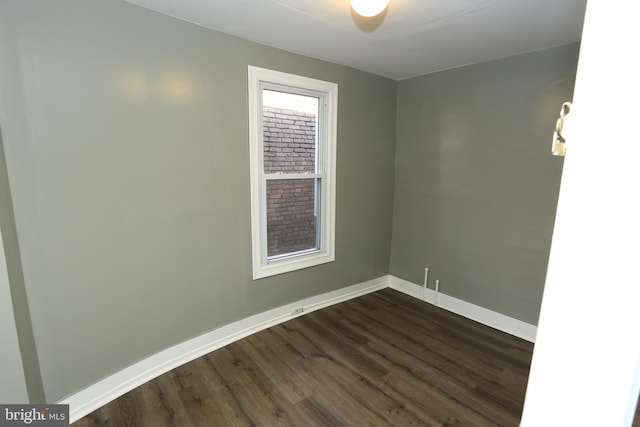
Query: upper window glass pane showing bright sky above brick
{"x": 289, "y": 124}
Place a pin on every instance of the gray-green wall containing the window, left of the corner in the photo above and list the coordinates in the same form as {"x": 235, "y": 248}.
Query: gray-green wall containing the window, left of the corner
{"x": 126, "y": 140}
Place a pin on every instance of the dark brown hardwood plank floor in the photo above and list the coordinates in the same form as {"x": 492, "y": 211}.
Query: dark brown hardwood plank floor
{"x": 384, "y": 359}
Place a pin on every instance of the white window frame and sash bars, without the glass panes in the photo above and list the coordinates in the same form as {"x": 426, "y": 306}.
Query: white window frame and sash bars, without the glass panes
{"x": 327, "y": 92}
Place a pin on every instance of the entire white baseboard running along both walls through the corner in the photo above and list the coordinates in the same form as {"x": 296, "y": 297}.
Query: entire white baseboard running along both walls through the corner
{"x": 99, "y": 394}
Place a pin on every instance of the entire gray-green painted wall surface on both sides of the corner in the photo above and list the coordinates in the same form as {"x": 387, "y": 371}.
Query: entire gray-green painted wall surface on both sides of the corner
{"x": 126, "y": 142}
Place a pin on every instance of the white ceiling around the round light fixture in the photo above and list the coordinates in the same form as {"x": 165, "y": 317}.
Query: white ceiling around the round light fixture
{"x": 412, "y": 37}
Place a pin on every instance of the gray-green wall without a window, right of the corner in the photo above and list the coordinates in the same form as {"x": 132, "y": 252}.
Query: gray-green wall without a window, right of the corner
{"x": 475, "y": 184}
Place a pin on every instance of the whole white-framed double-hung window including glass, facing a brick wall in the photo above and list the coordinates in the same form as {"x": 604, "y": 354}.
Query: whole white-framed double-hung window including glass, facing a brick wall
{"x": 292, "y": 138}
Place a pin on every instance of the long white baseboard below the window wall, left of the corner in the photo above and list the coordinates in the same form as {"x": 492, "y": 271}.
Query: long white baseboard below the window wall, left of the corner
{"x": 99, "y": 394}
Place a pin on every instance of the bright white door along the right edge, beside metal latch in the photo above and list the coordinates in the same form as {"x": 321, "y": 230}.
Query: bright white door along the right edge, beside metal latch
{"x": 586, "y": 361}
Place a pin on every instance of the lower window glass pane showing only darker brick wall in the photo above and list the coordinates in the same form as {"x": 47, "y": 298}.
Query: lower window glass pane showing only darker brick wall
{"x": 291, "y": 215}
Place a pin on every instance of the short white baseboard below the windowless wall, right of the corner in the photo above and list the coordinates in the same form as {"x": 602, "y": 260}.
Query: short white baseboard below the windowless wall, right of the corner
{"x": 482, "y": 315}
